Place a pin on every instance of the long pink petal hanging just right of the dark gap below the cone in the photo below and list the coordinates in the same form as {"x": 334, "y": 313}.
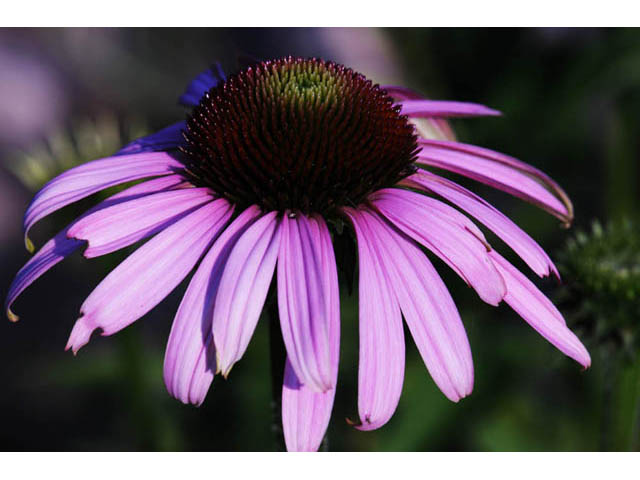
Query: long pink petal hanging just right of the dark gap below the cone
{"x": 381, "y": 360}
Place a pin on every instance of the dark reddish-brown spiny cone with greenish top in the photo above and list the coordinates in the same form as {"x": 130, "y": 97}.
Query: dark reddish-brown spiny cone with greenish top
{"x": 298, "y": 134}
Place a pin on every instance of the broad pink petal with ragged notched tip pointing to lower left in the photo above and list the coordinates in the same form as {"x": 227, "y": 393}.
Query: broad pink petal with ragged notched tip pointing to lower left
{"x": 149, "y": 274}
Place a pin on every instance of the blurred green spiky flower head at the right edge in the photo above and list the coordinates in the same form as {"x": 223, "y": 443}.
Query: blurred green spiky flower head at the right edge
{"x": 602, "y": 266}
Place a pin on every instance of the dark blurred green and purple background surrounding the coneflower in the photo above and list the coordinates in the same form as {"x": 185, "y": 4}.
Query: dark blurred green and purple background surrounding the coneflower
{"x": 571, "y": 103}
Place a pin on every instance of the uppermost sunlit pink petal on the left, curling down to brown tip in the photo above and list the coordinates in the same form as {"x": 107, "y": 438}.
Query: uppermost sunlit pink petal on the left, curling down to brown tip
{"x": 84, "y": 180}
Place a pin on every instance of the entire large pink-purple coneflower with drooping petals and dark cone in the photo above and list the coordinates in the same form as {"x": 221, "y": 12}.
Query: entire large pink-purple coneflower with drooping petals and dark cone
{"x": 269, "y": 165}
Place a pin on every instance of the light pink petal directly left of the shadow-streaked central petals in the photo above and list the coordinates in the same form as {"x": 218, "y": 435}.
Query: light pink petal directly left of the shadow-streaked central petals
{"x": 243, "y": 290}
